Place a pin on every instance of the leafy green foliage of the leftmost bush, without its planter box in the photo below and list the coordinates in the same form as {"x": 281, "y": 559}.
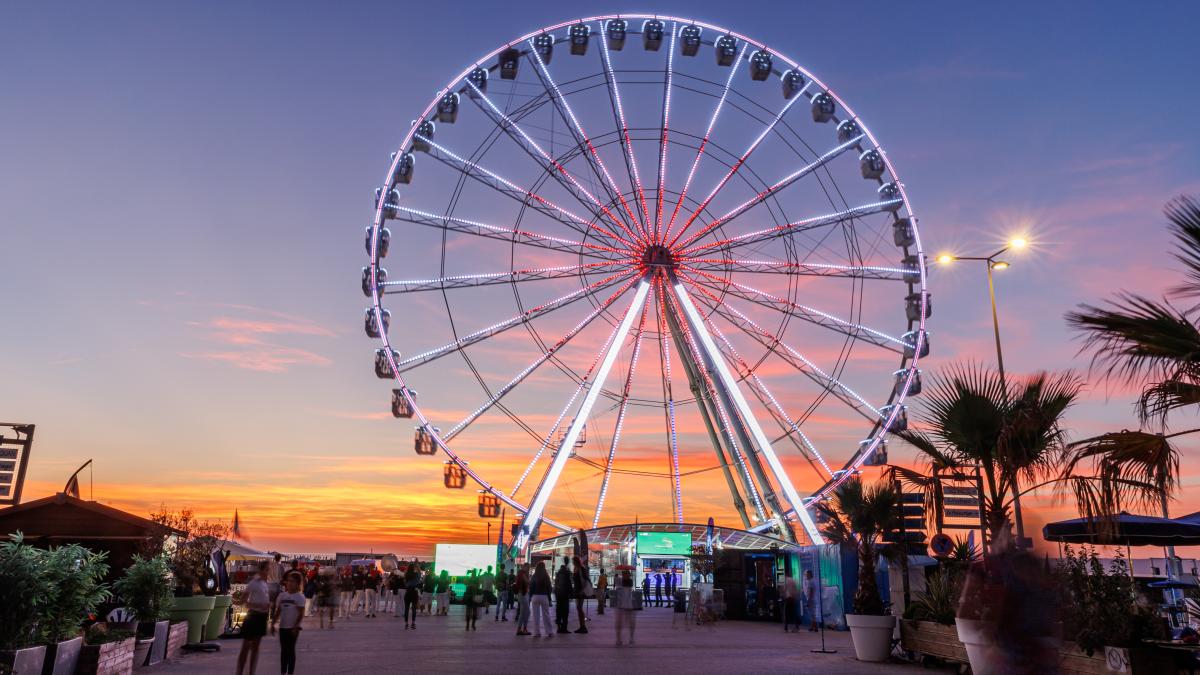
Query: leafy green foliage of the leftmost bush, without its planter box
{"x": 25, "y": 592}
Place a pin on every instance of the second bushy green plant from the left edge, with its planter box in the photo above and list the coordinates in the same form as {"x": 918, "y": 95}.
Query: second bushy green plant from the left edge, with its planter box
{"x": 75, "y": 576}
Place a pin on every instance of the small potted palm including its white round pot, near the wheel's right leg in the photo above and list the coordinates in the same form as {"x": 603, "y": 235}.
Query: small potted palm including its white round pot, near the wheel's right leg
{"x": 860, "y": 517}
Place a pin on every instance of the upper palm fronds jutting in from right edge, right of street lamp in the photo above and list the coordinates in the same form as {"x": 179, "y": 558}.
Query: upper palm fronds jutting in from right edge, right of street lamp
{"x": 1153, "y": 344}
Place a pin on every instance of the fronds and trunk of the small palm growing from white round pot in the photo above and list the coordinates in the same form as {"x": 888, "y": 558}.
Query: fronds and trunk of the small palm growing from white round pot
{"x": 860, "y": 517}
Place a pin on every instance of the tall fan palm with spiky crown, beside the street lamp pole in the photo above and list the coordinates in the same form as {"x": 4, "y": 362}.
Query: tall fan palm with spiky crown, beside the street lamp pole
{"x": 1013, "y": 433}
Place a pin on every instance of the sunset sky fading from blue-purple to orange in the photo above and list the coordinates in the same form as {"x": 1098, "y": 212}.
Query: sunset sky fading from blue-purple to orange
{"x": 184, "y": 189}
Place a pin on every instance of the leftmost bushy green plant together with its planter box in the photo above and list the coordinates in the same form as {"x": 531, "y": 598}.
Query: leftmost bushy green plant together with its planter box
{"x": 23, "y": 594}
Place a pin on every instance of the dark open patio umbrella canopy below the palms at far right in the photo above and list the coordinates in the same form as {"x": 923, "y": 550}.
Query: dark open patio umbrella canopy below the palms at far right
{"x": 1127, "y": 530}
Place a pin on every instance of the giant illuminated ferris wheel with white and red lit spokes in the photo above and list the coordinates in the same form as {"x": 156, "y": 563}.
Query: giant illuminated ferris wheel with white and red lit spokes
{"x": 647, "y": 256}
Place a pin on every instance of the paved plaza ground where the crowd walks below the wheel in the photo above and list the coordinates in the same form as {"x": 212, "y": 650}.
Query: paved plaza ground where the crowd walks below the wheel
{"x": 440, "y": 644}
